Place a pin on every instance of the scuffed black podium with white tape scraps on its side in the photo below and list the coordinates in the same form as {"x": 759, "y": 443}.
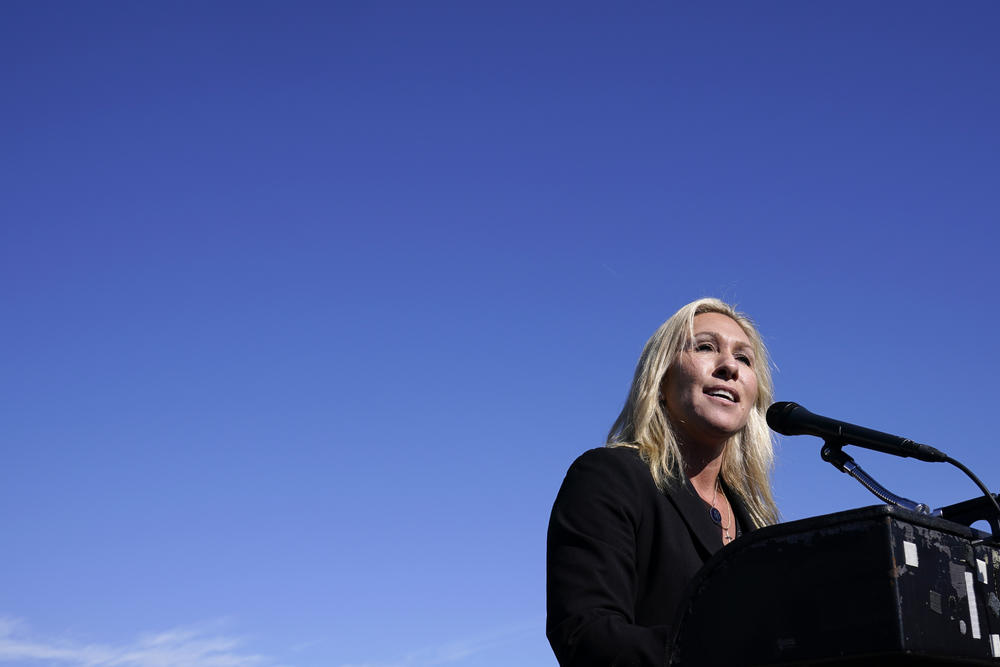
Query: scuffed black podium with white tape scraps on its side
{"x": 878, "y": 585}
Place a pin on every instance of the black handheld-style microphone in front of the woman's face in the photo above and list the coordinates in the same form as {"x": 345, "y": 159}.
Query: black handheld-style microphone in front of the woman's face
{"x": 789, "y": 418}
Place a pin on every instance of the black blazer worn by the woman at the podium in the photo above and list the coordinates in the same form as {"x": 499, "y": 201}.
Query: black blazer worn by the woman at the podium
{"x": 620, "y": 556}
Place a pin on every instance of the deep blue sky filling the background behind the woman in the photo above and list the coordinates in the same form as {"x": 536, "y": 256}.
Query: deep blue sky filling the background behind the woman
{"x": 308, "y": 306}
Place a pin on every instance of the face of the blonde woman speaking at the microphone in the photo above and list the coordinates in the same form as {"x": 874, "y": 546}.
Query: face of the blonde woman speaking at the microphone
{"x": 711, "y": 388}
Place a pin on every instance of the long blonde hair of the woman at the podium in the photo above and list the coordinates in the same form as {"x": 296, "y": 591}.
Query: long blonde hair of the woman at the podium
{"x": 644, "y": 423}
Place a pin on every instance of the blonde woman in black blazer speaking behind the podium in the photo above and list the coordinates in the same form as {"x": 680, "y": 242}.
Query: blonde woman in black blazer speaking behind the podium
{"x": 685, "y": 471}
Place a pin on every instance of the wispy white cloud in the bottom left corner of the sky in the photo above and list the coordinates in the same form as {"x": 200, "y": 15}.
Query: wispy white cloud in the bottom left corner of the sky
{"x": 180, "y": 647}
